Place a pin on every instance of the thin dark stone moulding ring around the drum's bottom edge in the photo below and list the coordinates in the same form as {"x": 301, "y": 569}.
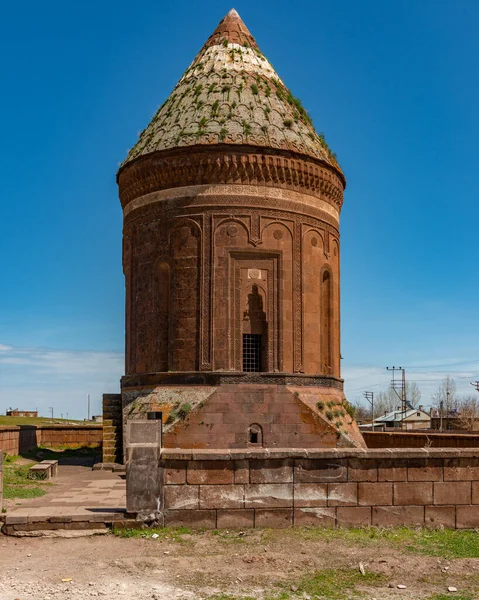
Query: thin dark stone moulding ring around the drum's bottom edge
{"x": 217, "y": 378}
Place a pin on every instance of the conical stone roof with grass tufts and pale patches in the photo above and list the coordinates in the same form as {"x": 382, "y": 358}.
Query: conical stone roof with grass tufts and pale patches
{"x": 231, "y": 94}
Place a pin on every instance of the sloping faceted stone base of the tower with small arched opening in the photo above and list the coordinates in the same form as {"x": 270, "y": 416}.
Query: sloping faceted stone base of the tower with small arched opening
{"x": 241, "y": 410}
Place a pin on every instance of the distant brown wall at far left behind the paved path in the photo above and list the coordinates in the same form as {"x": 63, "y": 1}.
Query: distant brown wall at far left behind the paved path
{"x": 15, "y": 440}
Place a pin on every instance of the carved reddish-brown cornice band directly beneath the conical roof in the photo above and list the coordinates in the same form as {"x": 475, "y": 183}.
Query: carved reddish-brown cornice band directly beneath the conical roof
{"x": 230, "y": 165}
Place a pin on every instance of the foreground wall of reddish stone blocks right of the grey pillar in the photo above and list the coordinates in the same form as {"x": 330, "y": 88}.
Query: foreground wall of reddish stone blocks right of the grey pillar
{"x": 350, "y": 487}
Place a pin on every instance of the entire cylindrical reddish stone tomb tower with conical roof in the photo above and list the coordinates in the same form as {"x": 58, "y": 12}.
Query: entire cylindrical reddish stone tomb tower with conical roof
{"x": 231, "y": 205}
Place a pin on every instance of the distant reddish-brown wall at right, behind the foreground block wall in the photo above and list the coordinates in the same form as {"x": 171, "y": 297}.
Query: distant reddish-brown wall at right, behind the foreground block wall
{"x": 405, "y": 439}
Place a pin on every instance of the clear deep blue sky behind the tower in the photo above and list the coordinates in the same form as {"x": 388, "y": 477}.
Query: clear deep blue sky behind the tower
{"x": 394, "y": 87}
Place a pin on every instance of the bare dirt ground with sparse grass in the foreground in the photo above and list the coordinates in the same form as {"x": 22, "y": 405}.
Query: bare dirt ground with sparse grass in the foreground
{"x": 224, "y": 566}
